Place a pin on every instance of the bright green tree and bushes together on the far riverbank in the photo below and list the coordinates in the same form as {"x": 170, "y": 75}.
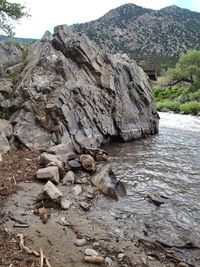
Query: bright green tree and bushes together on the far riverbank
{"x": 181, "y": 86}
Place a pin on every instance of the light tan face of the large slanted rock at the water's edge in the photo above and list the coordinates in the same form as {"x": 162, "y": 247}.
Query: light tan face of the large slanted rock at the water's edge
{"x": 104, "y": 182}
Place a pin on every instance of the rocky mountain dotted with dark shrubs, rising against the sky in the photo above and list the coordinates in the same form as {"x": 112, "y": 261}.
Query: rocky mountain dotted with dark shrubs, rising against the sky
{"x": 139, "y": 31}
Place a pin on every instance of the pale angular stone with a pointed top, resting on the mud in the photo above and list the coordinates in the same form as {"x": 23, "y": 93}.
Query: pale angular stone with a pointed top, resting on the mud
{"x": 49, "y": 191}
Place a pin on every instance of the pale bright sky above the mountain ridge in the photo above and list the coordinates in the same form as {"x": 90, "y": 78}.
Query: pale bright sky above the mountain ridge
{"x": 46, "y": 14}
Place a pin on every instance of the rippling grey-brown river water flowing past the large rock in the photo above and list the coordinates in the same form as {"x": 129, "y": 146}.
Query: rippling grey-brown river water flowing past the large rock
{"x": 167, "y": 164}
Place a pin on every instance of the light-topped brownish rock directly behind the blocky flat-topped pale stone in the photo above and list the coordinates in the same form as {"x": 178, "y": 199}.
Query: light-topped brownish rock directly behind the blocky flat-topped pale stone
{"x": 47, "y": 159}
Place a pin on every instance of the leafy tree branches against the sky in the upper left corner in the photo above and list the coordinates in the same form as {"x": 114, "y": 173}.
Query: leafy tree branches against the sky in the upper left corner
{"x": 9, "y": 13}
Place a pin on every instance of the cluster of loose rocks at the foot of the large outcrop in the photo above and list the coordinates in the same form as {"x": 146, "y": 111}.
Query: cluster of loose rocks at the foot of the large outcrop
{"x": 59, "y": 164}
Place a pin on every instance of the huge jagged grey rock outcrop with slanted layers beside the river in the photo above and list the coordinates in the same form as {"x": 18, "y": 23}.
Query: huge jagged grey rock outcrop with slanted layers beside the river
{"x": 71, "y": 91}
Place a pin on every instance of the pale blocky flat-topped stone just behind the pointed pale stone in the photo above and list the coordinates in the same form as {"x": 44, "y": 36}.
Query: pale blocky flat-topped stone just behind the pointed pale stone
{"x": 48, "y": 173}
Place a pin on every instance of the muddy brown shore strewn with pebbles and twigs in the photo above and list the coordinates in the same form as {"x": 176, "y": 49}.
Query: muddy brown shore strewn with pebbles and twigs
{"x": 108, "y": 238}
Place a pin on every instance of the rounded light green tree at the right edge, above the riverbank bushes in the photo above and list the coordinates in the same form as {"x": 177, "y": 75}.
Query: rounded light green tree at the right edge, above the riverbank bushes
{"x": 187, "y": 69}
